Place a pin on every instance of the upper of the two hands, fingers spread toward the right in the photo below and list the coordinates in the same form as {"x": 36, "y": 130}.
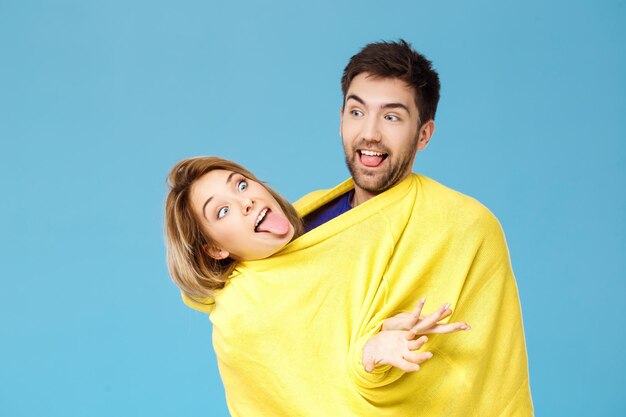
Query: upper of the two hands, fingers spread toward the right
{"x": 424, "y": 324}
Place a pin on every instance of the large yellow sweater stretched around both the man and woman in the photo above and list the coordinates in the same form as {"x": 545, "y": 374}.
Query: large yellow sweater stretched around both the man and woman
{"x": 288, "y": 331}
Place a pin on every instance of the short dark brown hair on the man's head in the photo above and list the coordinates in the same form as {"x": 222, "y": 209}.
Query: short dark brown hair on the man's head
{"x": 397, "y": 60}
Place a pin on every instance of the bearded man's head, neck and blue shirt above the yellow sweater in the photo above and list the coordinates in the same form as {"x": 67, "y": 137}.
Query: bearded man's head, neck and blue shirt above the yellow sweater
{"x": 390, "y": 97}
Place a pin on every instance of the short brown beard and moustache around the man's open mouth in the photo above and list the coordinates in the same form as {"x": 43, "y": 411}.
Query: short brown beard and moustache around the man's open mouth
{"x": 380, "y": 182}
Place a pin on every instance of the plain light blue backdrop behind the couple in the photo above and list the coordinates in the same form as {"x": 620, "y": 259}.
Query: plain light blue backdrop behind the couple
{"x": 99, "y": 99}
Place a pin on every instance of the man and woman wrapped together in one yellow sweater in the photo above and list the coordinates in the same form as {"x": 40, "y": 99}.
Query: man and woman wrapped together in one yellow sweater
{"x": 323, "y": 322}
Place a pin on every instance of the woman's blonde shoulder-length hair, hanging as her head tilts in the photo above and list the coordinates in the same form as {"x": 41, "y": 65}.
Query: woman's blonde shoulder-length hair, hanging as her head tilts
{"x": 192, "y": 269}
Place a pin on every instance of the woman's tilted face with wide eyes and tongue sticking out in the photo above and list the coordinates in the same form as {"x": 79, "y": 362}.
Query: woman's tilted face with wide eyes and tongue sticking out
{"x": 240, "y": 215}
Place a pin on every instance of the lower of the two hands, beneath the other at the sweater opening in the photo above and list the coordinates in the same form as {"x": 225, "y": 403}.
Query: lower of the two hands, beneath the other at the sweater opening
{"x": 396, "y": 348}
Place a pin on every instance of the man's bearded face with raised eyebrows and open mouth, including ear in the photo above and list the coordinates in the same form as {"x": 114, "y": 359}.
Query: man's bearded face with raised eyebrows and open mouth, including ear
{"x": 380, "y": 130}
